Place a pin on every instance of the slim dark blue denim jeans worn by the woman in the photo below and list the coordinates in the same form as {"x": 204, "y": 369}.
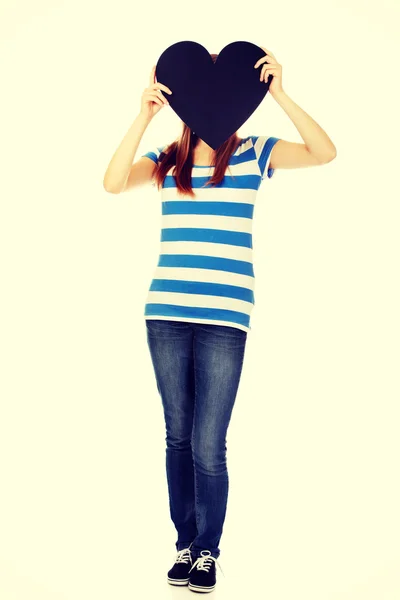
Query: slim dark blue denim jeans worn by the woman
{"x": 197, "y": 368}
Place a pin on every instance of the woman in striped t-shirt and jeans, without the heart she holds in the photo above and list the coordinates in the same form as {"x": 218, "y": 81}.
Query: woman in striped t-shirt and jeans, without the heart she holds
{"x": 198, "y": 307}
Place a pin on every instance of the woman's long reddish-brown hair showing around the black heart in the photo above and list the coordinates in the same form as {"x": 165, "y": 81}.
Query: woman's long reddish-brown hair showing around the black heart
{"x": 180, "y": 154}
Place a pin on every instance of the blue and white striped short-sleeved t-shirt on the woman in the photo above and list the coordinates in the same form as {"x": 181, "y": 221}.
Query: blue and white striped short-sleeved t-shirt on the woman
{"x": 205, "y": 268}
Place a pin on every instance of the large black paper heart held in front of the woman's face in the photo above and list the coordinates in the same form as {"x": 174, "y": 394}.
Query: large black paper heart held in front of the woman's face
{"x": 214, "y": 100}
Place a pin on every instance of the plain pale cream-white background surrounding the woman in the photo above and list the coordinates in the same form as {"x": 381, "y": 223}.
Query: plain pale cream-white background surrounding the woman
{"x": 313, "y": 444}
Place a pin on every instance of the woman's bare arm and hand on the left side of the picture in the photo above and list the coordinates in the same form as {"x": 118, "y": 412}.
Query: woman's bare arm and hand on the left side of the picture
{"x": 121, "y": 174}
